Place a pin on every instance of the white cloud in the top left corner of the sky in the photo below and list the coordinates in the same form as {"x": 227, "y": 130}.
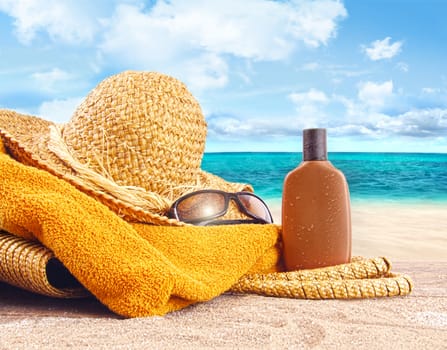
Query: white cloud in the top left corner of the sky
{"x": 63, "y": 20}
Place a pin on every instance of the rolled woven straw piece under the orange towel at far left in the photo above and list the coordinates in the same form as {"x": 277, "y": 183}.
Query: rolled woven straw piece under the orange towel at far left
{"x": 24, "y": 264}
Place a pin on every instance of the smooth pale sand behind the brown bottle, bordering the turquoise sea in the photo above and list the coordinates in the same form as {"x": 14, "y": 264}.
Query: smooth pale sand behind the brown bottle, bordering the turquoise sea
{"x": 399, "y": 231}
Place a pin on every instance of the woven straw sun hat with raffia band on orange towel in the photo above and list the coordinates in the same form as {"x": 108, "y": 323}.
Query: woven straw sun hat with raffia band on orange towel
{"x": 135, "y": 143}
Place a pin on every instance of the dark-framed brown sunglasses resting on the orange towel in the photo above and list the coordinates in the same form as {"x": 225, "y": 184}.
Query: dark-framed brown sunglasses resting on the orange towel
{"x": 205, "y": 206}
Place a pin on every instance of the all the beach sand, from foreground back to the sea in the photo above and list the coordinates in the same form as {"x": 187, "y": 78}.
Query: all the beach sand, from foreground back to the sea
{"x": 413, "y": 238}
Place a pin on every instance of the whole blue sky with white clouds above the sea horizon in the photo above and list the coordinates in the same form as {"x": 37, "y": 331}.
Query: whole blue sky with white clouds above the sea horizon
{"x": 374, "y": 73}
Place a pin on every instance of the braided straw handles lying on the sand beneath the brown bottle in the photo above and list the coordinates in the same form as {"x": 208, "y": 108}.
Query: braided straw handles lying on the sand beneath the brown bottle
{"x": 362, "y": 278}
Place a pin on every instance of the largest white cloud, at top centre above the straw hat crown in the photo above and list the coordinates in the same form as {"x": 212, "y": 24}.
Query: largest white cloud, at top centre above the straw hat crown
{"x": 205, "y": 35}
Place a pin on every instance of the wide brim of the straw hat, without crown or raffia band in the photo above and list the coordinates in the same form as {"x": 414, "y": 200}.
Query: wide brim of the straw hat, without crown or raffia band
{"x": 27, "y": 139}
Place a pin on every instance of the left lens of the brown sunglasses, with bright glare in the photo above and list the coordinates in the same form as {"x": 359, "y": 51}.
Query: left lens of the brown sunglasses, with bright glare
{"x": 201, "y": 206}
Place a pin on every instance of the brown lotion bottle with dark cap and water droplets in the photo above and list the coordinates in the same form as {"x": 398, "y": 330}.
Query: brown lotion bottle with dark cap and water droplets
{"x": 316, "y": 214}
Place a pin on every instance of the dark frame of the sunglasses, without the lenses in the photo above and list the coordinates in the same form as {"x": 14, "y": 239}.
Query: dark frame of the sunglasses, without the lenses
{"x": 228, "y": 196}
